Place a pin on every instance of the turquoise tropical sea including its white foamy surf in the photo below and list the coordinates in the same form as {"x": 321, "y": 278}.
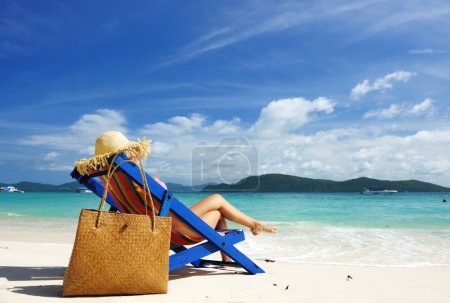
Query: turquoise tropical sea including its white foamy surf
{"x": 404, "y": 229}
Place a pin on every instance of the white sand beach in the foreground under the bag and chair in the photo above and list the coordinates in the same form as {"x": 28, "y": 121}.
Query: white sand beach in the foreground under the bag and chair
{"x": 33, "y": 272}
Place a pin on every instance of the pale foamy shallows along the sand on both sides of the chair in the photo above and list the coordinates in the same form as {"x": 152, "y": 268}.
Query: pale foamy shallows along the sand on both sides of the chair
{"x": 315, "y": 245}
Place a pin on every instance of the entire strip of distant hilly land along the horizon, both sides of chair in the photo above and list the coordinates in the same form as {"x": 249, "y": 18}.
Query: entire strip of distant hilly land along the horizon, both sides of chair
{"x": 268, "y": 183}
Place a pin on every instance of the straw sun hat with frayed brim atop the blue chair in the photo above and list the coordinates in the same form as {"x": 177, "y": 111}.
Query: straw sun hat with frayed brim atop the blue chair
{"x": 110, "y": 143}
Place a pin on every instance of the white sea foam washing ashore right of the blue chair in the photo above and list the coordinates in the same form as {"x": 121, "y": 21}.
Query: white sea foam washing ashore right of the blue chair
{"x": 307, "y": 243}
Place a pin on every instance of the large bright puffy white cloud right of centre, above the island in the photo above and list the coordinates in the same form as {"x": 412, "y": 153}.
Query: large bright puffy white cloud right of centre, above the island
{"x": 287, "y": 115}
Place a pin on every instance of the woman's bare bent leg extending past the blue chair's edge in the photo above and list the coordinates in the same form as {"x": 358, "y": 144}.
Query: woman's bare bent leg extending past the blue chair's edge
{"x": 228, "y": 211}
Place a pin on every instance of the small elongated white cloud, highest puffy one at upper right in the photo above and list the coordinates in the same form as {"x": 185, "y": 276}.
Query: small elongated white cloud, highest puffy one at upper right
{"x": 382, "y": 84}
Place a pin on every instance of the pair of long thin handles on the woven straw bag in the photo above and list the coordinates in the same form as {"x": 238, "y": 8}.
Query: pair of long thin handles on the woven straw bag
{"x": 111, "y": 171}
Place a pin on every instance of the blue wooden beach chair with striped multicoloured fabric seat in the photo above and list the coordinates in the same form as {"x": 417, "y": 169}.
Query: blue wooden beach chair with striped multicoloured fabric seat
{"x": 126, "y": 195}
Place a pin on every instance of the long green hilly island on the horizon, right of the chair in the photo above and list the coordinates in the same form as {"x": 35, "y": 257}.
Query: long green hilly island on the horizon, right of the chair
{"x": 287, "y": 183}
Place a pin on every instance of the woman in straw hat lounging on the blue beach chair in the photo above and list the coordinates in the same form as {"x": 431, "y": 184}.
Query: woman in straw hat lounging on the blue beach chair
{"x": 214, "y": 209}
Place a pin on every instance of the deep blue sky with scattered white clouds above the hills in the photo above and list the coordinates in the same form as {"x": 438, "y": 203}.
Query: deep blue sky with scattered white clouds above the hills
{"x": 225, "y": 89}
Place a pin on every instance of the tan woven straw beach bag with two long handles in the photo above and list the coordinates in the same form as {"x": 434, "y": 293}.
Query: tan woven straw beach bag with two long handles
{"x": 118, "y": 253}
